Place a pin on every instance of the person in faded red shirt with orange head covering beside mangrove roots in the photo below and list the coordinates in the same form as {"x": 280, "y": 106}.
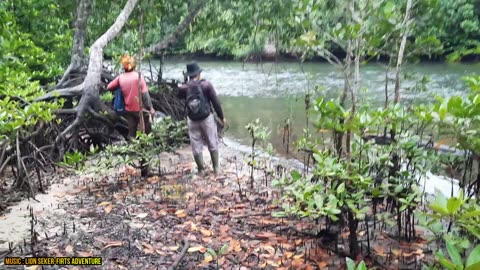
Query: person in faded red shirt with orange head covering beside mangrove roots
{"x": 129, "y": 83}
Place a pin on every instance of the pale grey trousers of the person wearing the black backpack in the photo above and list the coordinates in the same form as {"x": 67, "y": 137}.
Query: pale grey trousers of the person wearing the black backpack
{"x": 203, "y": 132}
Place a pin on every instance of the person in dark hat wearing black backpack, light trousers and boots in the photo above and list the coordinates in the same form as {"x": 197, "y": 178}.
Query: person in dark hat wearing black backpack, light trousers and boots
{"x": 199, "y": 97}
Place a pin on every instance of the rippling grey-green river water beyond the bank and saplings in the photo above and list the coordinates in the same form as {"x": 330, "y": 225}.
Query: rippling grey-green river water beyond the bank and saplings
{"x": 274, "y": 92}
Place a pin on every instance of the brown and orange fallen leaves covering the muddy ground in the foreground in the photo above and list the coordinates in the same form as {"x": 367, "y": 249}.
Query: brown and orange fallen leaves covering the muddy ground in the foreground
{"x": 150, "y": 219}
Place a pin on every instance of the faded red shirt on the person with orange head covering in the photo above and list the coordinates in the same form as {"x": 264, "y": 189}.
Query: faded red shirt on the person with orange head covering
{"x": 128, "y": 81}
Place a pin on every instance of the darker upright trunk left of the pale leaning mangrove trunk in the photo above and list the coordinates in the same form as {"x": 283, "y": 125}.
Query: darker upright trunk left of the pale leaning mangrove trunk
{"x": 78, "y": 61}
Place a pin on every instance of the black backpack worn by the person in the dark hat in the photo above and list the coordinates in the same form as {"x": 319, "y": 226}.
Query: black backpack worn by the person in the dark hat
{"x": 198, "y": 106}
